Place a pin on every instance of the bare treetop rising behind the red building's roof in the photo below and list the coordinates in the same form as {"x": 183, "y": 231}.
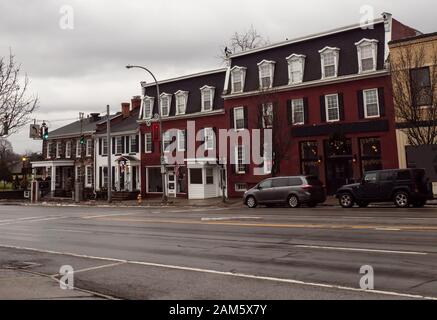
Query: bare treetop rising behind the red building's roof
{"x": 243, "y": 41}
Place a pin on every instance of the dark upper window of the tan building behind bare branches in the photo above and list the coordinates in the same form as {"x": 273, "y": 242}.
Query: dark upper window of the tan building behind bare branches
{"x": 421, "y": 87}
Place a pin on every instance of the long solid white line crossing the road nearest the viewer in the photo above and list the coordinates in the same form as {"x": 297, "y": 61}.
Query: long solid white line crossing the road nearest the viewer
{"x": 231, "y": 274}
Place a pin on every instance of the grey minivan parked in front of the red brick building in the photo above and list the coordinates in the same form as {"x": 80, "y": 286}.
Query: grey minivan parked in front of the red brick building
{"x": 292, "y": 191}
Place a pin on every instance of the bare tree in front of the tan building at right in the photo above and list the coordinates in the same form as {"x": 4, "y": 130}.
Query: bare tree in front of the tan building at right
{"x": 414, "y": 93}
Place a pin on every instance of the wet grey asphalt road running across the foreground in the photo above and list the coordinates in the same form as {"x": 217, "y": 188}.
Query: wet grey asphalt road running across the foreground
{"x": 222, "y": 253}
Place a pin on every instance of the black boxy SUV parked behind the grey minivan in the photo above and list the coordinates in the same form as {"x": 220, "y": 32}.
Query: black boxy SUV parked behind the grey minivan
{"x": 404, "y": 187}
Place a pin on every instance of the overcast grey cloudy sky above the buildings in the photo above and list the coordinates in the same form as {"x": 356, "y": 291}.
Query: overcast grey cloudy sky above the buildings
{"x": 82, "y": 69}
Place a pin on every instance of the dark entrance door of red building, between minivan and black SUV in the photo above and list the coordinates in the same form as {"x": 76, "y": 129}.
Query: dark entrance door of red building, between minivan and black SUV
{"x": 338, "y": 173}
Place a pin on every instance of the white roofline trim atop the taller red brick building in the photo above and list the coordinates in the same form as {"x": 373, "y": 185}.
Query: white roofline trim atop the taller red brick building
{"x": 305, "y": 38}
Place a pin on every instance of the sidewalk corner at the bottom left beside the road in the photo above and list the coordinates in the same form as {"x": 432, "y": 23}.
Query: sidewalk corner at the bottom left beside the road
{"x": 21, "y": 285}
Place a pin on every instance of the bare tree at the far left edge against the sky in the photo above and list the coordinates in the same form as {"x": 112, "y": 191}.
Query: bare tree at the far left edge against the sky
{"x": 15, "y": 104}
